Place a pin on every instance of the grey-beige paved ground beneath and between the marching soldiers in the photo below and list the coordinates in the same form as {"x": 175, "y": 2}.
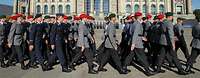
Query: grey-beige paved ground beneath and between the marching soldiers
{"x": 16, "y": 72}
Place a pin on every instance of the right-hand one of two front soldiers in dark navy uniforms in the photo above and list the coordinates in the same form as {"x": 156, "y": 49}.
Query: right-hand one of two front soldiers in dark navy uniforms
{"x": 58, "y": 39}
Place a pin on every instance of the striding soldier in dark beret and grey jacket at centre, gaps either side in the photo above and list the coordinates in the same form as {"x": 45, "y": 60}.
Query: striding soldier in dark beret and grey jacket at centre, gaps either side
{"x": 111, "y": 43}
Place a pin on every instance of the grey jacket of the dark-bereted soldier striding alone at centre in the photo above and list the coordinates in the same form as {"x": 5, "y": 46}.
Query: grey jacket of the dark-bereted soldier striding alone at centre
{"x": 110, "y": 31}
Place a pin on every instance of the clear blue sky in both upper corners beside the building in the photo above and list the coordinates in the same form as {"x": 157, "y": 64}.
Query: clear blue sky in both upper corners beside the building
{"x": 195, "y": 3}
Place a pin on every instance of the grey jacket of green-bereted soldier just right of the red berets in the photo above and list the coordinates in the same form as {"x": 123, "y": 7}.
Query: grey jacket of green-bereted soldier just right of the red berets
{"x": 167, "y": 36}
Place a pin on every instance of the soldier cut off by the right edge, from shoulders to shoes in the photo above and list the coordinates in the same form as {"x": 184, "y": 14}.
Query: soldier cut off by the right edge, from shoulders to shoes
{"x": 195, "y": 44}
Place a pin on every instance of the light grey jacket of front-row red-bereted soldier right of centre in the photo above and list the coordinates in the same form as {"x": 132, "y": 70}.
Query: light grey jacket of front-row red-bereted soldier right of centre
{"x": 137, "y": 34}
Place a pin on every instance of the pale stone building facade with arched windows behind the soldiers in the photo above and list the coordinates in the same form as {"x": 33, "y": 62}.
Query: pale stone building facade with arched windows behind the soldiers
{"x": 101, "y": 8}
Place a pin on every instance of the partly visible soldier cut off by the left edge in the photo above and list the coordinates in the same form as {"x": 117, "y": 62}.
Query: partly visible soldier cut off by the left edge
{"x": 2, "y": 41}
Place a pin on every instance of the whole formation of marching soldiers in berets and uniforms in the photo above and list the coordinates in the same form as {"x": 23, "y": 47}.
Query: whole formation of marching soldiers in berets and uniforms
{"x": 57, "y": 40}
